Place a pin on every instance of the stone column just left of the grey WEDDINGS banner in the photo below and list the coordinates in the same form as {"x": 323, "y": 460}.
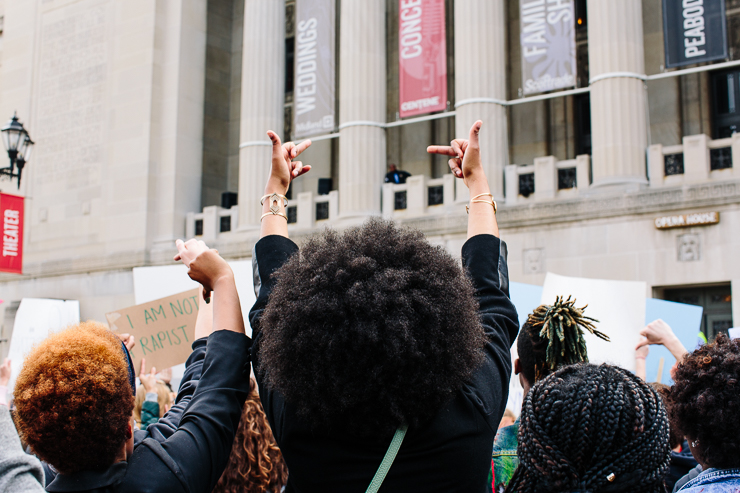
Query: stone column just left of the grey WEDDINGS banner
{"x": 263, "y": 96}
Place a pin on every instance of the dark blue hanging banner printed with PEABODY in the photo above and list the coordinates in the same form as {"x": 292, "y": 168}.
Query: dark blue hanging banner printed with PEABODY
{"x": 695, "y": 31}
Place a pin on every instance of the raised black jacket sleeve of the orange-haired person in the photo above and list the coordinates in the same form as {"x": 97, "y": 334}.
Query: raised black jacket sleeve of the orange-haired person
{"x": 196, "y": 453}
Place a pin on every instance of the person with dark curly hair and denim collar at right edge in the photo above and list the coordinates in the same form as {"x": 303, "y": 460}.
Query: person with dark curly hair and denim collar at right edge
{"x": 704, "y": 405}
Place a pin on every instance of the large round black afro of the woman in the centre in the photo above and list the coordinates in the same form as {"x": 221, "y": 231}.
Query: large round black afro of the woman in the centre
{"x": 369, "y": 329}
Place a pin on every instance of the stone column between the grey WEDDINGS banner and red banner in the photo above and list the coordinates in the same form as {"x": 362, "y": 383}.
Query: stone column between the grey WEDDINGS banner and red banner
{"x": 362, "y": 101}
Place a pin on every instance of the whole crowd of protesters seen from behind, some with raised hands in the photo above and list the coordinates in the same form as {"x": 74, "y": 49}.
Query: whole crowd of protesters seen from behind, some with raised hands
{"x": 376, "y": 363}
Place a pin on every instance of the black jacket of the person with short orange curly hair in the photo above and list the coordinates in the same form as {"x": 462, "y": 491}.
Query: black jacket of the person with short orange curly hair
{"x": 187, "y": 450}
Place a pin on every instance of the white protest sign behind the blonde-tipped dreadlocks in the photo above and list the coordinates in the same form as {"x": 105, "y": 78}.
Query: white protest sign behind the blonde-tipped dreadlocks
{"x": 619, "y": 306}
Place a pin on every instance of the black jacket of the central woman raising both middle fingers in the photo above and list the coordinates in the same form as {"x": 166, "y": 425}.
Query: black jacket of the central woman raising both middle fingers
{"x": 450, "y": 453}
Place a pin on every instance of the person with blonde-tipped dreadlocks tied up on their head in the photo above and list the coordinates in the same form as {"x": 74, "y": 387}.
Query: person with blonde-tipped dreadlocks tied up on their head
{"x": 551, "y": 338}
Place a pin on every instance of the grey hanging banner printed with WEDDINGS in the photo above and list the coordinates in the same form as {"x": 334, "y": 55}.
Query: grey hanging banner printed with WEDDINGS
{"x": 313, "y": 92}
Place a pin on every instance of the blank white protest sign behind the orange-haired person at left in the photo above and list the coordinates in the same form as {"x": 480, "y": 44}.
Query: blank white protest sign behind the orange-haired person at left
{"x": 35, "y": 320}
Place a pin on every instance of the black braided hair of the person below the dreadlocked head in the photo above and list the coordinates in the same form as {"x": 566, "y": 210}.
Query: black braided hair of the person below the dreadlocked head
{"x": 594, "y": 429}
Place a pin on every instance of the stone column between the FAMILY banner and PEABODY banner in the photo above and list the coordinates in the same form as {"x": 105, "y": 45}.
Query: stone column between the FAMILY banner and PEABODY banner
{"x": 618, "y": 104}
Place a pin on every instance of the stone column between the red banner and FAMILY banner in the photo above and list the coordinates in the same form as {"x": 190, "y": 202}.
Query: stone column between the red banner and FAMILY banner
{"x": 480, "y": 74}
